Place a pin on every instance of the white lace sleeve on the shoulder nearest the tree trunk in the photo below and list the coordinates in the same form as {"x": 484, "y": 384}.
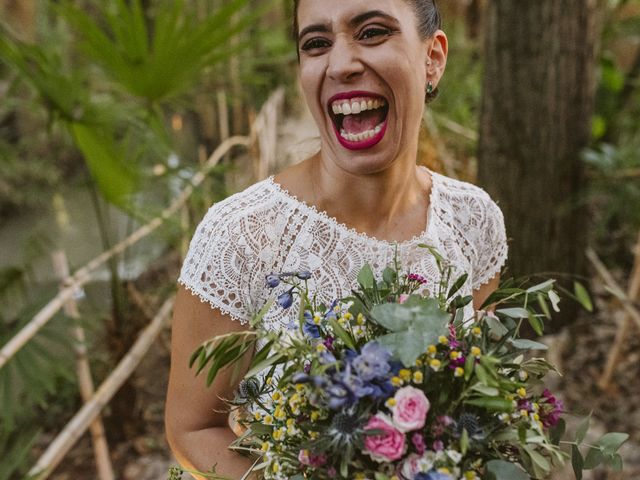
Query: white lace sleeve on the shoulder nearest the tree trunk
{"x": 491, "y": 244}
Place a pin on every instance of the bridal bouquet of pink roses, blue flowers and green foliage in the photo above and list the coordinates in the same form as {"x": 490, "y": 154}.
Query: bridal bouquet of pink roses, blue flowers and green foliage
{"x": 389, "y": 384}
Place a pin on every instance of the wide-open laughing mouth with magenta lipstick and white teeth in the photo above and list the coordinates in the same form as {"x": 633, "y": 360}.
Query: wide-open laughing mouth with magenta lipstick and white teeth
{"x": 359, "y": 119}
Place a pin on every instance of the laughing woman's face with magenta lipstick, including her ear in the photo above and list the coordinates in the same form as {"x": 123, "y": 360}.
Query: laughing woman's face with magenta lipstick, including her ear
{"x": 363, "y": 70}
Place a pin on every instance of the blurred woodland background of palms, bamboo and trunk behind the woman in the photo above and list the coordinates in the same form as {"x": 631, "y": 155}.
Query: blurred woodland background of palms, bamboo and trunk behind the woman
{"x": 122, "y": 121}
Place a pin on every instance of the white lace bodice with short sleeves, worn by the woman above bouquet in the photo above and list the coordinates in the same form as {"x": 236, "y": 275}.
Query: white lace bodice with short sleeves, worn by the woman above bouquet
{"x": 264, "y": 229}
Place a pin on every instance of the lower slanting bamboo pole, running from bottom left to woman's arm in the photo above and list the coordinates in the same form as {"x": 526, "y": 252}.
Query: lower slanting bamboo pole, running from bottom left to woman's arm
{"x": 80, "y": 422}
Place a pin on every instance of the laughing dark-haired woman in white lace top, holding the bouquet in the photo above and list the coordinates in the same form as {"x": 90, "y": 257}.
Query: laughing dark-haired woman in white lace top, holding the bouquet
{"x": 365, "y": 66}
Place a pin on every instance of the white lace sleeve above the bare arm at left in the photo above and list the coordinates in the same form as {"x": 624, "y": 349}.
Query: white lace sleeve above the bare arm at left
{"x": 216, "y": 268}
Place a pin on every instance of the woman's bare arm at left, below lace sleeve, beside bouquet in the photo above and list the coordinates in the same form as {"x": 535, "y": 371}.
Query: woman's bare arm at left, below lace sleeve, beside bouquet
{"x": 197, "y": 432}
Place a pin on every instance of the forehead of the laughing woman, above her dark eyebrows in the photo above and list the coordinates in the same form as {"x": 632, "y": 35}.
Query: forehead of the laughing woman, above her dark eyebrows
{"x": 335, "y": 12}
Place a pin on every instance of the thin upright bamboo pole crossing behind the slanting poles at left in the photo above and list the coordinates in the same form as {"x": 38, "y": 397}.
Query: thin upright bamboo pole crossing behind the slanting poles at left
{"x": 99, "y": 440}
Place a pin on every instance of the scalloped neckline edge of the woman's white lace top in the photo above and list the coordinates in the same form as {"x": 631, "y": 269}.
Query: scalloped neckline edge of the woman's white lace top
{"x": 312, "y": 209}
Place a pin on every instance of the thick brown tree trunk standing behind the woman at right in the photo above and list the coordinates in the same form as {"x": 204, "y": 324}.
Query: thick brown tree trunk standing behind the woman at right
{"x": 538, "y": 99}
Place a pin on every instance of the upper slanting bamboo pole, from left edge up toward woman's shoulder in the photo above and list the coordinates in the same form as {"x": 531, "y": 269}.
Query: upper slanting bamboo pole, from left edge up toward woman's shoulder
{"x": 83, "y": 275}
